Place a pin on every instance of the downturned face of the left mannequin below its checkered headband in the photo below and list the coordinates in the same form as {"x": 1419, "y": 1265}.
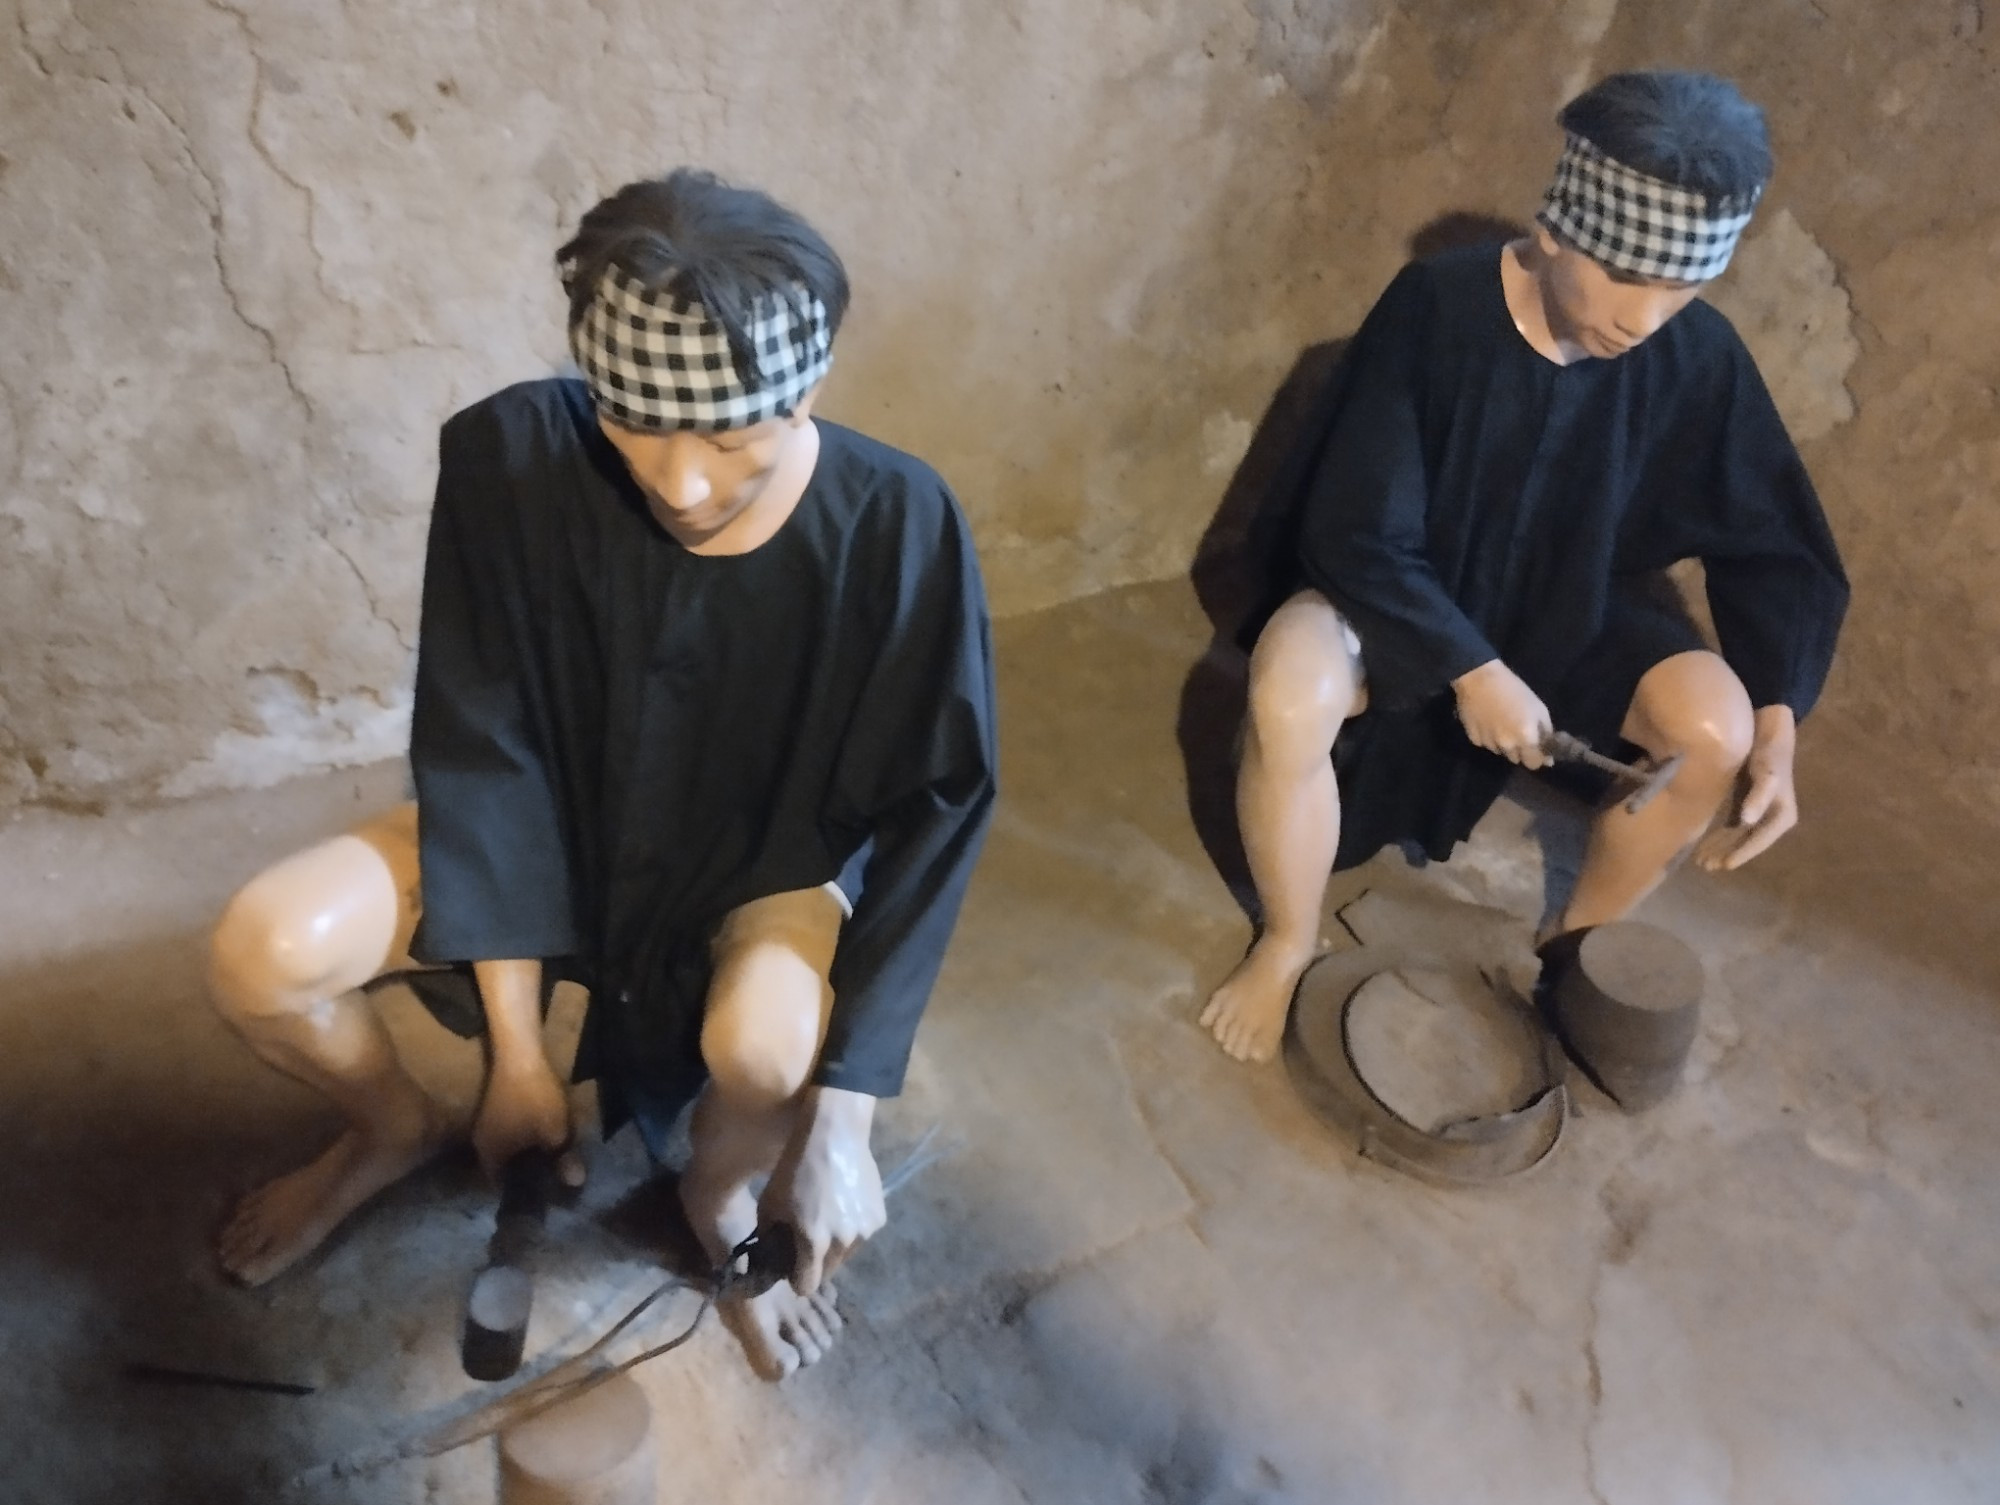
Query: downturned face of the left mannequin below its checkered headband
{"x": 701, "y": 481}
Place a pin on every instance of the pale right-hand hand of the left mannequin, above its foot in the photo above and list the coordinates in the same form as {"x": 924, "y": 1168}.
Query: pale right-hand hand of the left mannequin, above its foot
{"x": 827, "y": 1184}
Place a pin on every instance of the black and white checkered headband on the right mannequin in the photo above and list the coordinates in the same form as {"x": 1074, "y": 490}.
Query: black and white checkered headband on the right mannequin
{"x": 1641, "y": 225}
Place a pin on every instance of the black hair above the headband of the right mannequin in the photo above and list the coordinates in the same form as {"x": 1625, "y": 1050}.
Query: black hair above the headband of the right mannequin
{"x": 1693, "y": 131}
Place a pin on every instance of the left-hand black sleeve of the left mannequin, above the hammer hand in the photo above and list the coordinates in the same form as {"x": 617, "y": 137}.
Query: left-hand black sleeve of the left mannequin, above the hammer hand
{"x": 495, "y": 874}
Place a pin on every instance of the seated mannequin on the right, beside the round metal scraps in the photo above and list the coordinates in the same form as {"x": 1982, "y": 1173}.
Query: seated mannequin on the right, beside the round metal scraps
{"x": 1523, "y": 441}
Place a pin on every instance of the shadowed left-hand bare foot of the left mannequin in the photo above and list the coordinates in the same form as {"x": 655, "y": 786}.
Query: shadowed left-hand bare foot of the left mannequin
{"x": 287, "y": 1220}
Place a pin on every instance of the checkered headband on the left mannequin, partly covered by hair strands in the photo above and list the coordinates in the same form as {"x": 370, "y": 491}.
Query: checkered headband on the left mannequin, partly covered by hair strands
{"x": 657, "y": 361}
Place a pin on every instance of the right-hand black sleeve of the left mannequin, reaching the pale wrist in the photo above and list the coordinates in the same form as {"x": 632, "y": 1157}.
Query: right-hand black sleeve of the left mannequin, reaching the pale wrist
{"x": 917, "y": 776}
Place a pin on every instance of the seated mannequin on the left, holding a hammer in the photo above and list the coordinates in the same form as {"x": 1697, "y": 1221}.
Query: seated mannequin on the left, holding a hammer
{"x": 703, "y": 721}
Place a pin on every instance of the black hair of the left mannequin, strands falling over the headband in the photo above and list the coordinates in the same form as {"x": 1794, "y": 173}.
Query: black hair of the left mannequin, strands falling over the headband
{"x": 701, "y": 239}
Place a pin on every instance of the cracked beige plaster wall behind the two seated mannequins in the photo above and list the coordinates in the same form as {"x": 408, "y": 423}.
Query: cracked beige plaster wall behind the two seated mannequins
{"x": 253, "y": 255}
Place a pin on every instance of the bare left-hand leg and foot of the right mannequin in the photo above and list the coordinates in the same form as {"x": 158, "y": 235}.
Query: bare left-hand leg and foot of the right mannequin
{"x": 1305, "y": 681}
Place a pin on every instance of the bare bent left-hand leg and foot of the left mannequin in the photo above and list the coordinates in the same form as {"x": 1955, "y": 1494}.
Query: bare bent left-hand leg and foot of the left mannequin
{"x": 283, "y": 962}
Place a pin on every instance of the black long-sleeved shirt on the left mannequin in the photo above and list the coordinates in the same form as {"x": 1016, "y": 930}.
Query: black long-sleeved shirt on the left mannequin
{"x": 619, "y": 741}
